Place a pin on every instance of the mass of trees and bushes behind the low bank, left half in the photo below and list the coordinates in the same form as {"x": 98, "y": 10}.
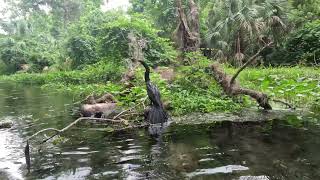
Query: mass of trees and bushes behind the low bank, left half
{"x": 44, "y": 39}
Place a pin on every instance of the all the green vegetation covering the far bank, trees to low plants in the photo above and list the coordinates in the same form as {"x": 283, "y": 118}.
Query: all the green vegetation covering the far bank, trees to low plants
{"x": 74, "y": 46}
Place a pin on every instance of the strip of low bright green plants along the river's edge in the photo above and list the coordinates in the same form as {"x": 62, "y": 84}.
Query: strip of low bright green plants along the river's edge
{"x": 191, "y": 89}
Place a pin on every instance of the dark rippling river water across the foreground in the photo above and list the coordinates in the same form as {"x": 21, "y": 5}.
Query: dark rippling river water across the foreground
{"x": 279, "y": 149}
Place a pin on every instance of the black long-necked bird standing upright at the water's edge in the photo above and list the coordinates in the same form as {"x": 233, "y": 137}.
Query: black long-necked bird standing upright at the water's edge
{"x": 156, "y": 113}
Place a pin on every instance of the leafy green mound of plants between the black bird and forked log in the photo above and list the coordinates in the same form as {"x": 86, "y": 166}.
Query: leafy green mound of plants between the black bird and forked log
{"x": 195, "y": 90}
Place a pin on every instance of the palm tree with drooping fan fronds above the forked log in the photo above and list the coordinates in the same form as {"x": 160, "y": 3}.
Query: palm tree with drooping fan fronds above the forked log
{"x": 237, "y": 27}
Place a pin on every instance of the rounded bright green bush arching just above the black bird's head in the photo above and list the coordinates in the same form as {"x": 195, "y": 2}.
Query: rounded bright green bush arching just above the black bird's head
{"x": 114, "y": 40}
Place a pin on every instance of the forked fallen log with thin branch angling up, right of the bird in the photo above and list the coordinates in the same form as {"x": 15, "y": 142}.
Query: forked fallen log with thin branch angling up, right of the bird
{"x": 232, "y": 88}
